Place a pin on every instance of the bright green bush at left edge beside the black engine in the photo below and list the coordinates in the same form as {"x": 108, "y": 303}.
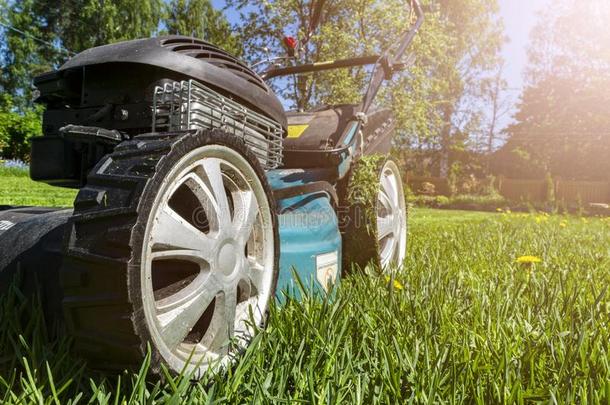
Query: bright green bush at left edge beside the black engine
{"x": 17, "y": 129}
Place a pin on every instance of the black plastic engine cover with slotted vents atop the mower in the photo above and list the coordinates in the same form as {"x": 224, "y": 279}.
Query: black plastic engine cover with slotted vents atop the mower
{"x": 111, "y": 87}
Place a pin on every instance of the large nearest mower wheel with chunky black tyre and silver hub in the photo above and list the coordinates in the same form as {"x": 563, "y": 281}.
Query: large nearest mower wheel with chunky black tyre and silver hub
{"x": 174, "y": 245}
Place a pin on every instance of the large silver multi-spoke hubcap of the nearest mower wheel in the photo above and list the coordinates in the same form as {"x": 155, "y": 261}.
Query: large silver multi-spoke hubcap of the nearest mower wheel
{"x": 209, "y": 261}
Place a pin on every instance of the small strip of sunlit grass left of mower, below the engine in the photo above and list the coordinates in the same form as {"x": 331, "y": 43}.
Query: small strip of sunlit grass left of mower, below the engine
{"x": 16, "y": 188}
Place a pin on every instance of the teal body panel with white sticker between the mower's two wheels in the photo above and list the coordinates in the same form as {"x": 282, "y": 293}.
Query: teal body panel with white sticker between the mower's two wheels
{"x": 310, "y": 240}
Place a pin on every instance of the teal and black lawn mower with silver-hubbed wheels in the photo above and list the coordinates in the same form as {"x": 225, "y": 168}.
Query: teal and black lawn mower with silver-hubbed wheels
{"x": 200, "y": 198}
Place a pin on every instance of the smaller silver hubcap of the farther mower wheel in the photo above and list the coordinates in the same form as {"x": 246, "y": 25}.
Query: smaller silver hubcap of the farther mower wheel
{"x": 391, "y": 217}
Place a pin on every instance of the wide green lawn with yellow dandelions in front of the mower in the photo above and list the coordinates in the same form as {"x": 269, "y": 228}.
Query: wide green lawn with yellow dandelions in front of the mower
{"x": 463, "y": 322}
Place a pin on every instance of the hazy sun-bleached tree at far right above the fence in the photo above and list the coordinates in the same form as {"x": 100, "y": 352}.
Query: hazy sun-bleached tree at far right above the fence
{"x": 563, "y": 120}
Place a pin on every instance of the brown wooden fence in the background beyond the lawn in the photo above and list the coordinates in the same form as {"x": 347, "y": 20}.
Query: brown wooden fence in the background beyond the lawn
{"x": 571, "y": 192}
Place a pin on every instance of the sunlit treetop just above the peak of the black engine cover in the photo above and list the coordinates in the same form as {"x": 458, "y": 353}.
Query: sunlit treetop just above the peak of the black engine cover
{"x": 198, "y": 18}
